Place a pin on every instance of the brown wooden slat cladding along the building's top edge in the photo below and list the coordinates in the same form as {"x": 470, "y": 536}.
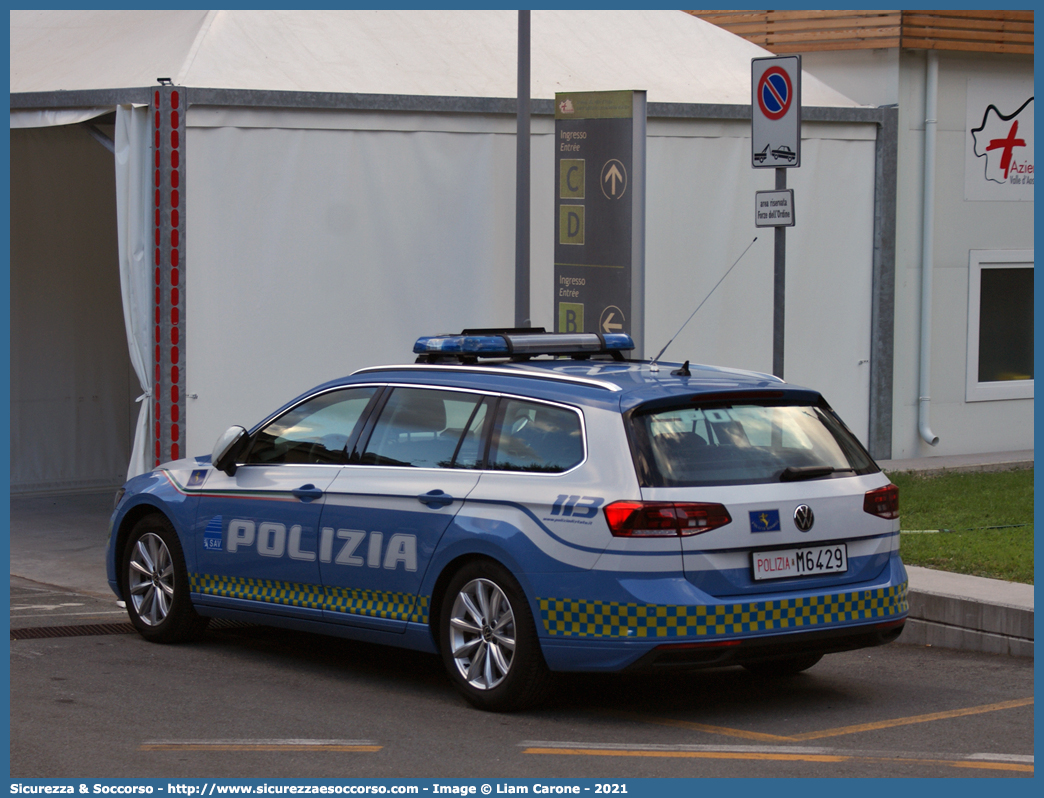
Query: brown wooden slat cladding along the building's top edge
{"x": 1008, "y": 32}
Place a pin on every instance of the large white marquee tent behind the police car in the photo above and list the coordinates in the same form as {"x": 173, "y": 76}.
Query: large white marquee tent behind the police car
{"x": 348, "y": 184}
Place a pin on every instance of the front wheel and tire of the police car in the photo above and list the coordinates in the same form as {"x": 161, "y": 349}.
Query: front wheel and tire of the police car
{"x": 157, "y": 584}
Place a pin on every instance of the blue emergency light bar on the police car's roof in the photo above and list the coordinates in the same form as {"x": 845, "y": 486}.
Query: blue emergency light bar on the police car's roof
{"x": 526, "y": 345}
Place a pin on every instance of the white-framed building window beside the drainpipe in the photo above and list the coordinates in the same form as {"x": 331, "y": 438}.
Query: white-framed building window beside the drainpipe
{"x": 1001, "y": 325}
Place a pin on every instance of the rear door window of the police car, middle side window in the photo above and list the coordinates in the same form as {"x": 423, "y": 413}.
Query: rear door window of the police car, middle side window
{"x": 428, "y": 429}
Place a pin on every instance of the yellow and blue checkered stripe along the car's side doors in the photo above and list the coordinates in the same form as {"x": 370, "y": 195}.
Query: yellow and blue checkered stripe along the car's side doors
{"x": 373, "y": 603}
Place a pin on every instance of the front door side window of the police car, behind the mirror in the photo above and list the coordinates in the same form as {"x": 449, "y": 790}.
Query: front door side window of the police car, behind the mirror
{"x": 316, "y": 432}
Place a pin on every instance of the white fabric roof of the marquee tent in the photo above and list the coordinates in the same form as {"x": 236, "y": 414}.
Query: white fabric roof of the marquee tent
{"x": 677, "y": 59}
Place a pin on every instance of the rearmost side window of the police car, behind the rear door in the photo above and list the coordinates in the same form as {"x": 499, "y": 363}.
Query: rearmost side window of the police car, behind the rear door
{"x": 534, "y": 437}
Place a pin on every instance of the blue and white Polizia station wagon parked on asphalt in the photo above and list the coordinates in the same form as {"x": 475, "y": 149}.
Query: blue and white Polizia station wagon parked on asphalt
{"x": 526, "y": 503}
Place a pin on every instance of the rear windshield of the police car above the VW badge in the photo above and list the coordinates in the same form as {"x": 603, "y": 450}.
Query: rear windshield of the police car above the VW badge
{"x": 738, "y": 443}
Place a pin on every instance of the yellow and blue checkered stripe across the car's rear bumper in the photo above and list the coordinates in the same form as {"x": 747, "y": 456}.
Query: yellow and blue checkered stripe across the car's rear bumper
{"x": 570, "y": 618}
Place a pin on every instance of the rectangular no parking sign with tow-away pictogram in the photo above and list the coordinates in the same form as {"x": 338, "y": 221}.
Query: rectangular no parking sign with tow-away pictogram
{"x": 776, "y": 112}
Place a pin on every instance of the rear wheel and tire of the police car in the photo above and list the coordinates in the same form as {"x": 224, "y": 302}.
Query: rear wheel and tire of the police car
{"x": 488, "y": 641}
